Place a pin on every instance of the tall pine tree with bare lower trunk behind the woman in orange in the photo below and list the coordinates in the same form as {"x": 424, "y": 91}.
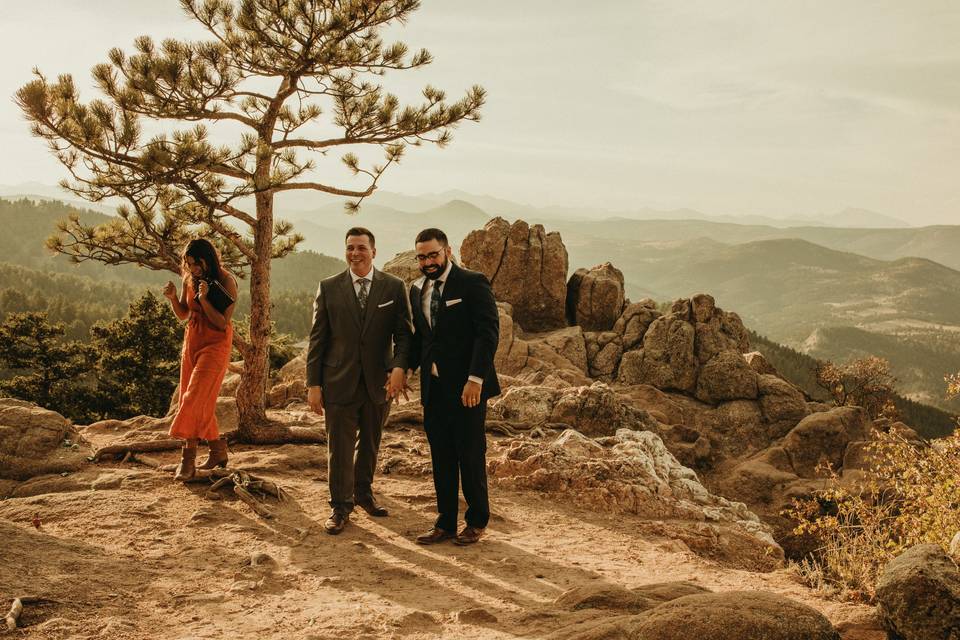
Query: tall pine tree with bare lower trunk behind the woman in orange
{"x": 269, "y": 70}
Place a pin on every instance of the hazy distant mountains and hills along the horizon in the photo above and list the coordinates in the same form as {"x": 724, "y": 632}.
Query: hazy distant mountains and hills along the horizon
{"x": 832, "y": 292}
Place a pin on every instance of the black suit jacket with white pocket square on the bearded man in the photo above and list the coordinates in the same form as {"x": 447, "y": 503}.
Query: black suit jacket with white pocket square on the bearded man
{"x": 463, "y": 340}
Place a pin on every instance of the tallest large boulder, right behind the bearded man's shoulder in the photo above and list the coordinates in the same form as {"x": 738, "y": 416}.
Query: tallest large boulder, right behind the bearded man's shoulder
{"x": 527, "y": 268}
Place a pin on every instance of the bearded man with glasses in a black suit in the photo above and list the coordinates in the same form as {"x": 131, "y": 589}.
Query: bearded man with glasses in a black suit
{"x": 457, "y": 330}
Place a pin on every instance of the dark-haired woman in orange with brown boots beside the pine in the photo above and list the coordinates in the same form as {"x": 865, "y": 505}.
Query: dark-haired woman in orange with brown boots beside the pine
{"x": 207, "y": 342}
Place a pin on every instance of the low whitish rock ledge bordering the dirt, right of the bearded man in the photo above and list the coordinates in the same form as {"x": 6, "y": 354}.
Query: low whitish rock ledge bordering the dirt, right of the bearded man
{"x": 633, "y": 472}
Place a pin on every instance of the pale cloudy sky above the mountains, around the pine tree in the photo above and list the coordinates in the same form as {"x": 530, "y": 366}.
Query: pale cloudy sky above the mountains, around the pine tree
{"x": 730, "y": 107}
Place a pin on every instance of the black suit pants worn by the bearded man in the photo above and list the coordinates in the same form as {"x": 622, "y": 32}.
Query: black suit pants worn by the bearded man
{"x": 458, "y": 451}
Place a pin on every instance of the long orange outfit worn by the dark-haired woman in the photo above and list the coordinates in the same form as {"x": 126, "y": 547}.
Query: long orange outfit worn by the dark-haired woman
{"x": 203, "y": 363}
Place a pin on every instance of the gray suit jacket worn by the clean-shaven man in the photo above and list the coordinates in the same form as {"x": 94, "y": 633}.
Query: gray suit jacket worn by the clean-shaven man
{"x": 345, "y": 345}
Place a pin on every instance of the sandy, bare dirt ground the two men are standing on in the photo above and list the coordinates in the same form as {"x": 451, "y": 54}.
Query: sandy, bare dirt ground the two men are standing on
{"x": 124, "y": 552}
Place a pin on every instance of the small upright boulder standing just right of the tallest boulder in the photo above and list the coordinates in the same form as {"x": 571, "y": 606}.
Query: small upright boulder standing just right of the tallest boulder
{"x": 595, "y": 297}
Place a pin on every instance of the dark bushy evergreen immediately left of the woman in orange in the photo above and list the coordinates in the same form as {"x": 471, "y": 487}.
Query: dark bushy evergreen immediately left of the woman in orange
{"x": 138, "y": 359}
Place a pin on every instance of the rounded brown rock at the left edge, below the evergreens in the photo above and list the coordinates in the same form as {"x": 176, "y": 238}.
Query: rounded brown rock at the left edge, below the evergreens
{"x": 34, "y": 441}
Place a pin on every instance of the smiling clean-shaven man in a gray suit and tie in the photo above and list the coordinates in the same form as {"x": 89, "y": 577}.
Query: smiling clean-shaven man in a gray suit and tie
{"x": 356, "y": 360}
